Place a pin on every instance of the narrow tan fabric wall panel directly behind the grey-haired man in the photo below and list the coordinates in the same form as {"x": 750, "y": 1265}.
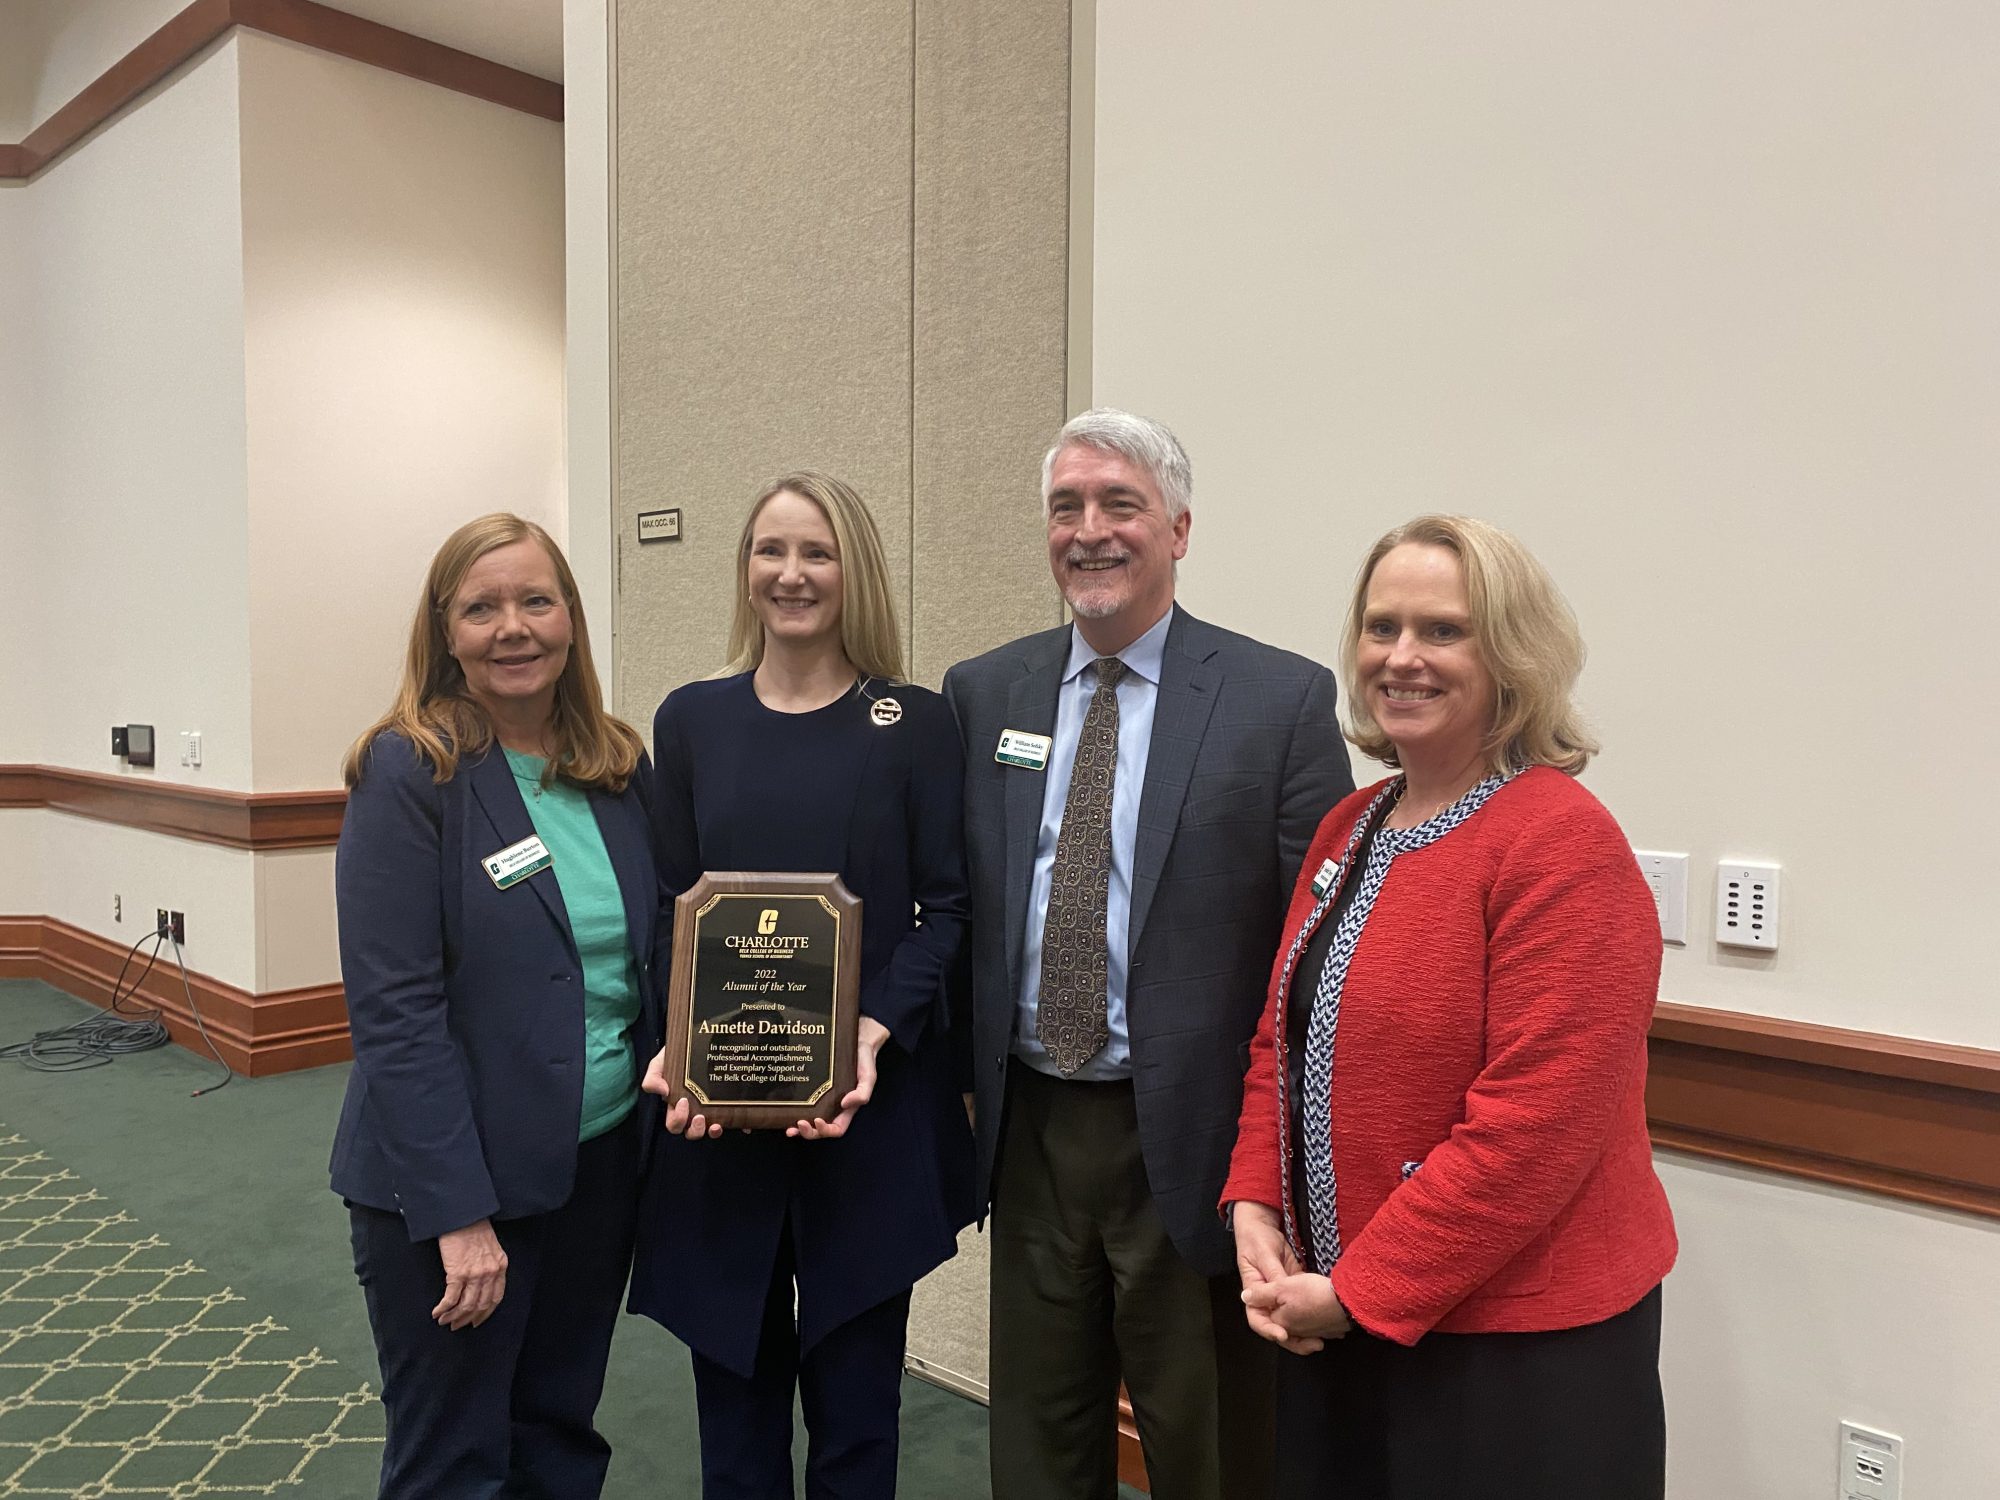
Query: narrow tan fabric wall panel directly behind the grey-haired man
{"x": 993, "y": 153}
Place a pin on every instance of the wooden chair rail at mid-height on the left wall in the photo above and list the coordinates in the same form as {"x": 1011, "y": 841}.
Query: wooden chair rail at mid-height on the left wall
{"x": 255, "y": 821}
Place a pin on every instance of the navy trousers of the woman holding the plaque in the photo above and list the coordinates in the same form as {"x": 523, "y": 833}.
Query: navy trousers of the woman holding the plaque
{"x": 851, "y": 1391}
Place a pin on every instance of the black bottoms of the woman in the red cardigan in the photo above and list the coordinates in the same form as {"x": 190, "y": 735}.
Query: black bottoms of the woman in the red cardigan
{"x": 1569, "y": 1415}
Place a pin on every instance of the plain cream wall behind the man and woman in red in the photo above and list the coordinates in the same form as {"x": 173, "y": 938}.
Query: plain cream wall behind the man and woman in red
{"x": 1699, "y": 301}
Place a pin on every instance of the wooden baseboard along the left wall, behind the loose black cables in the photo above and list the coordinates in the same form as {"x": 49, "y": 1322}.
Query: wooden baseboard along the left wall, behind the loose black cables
{"x": 257, "y": 1035}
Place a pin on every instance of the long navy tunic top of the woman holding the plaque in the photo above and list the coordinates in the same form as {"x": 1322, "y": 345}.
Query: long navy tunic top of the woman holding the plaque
{"x": 743, "y": 787}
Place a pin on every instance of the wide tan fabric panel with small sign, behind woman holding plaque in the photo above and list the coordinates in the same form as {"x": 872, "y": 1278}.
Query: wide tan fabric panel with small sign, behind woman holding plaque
{"x": 763, "y": 175}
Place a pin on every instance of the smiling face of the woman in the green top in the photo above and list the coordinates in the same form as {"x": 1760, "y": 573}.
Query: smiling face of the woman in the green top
{"x": 509, "y": 629}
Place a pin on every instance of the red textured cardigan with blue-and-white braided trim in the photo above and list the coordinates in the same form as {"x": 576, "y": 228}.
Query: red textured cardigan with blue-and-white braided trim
{"x": 1489, "y": 1109}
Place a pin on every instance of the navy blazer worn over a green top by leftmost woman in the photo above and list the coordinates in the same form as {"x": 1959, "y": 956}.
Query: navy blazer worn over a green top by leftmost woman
{"x": 467, "y": 1001}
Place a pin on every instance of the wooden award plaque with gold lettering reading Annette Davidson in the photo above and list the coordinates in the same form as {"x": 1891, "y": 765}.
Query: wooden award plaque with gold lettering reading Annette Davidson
{"x": 765, "y": 997}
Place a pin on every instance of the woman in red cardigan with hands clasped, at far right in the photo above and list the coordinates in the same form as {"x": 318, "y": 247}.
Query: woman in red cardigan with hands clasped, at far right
{"x": 1443, "y": 1189}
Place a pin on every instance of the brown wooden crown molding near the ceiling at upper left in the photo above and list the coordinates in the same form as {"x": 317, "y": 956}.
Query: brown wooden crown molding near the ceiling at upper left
{"x": 297, "y": 21}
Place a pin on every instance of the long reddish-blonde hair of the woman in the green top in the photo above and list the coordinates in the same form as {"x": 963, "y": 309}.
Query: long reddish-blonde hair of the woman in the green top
{"x": 435, "y": 711}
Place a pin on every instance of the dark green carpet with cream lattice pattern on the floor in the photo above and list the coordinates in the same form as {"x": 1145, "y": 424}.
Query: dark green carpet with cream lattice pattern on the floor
{"x": 179, "y": 1309}
